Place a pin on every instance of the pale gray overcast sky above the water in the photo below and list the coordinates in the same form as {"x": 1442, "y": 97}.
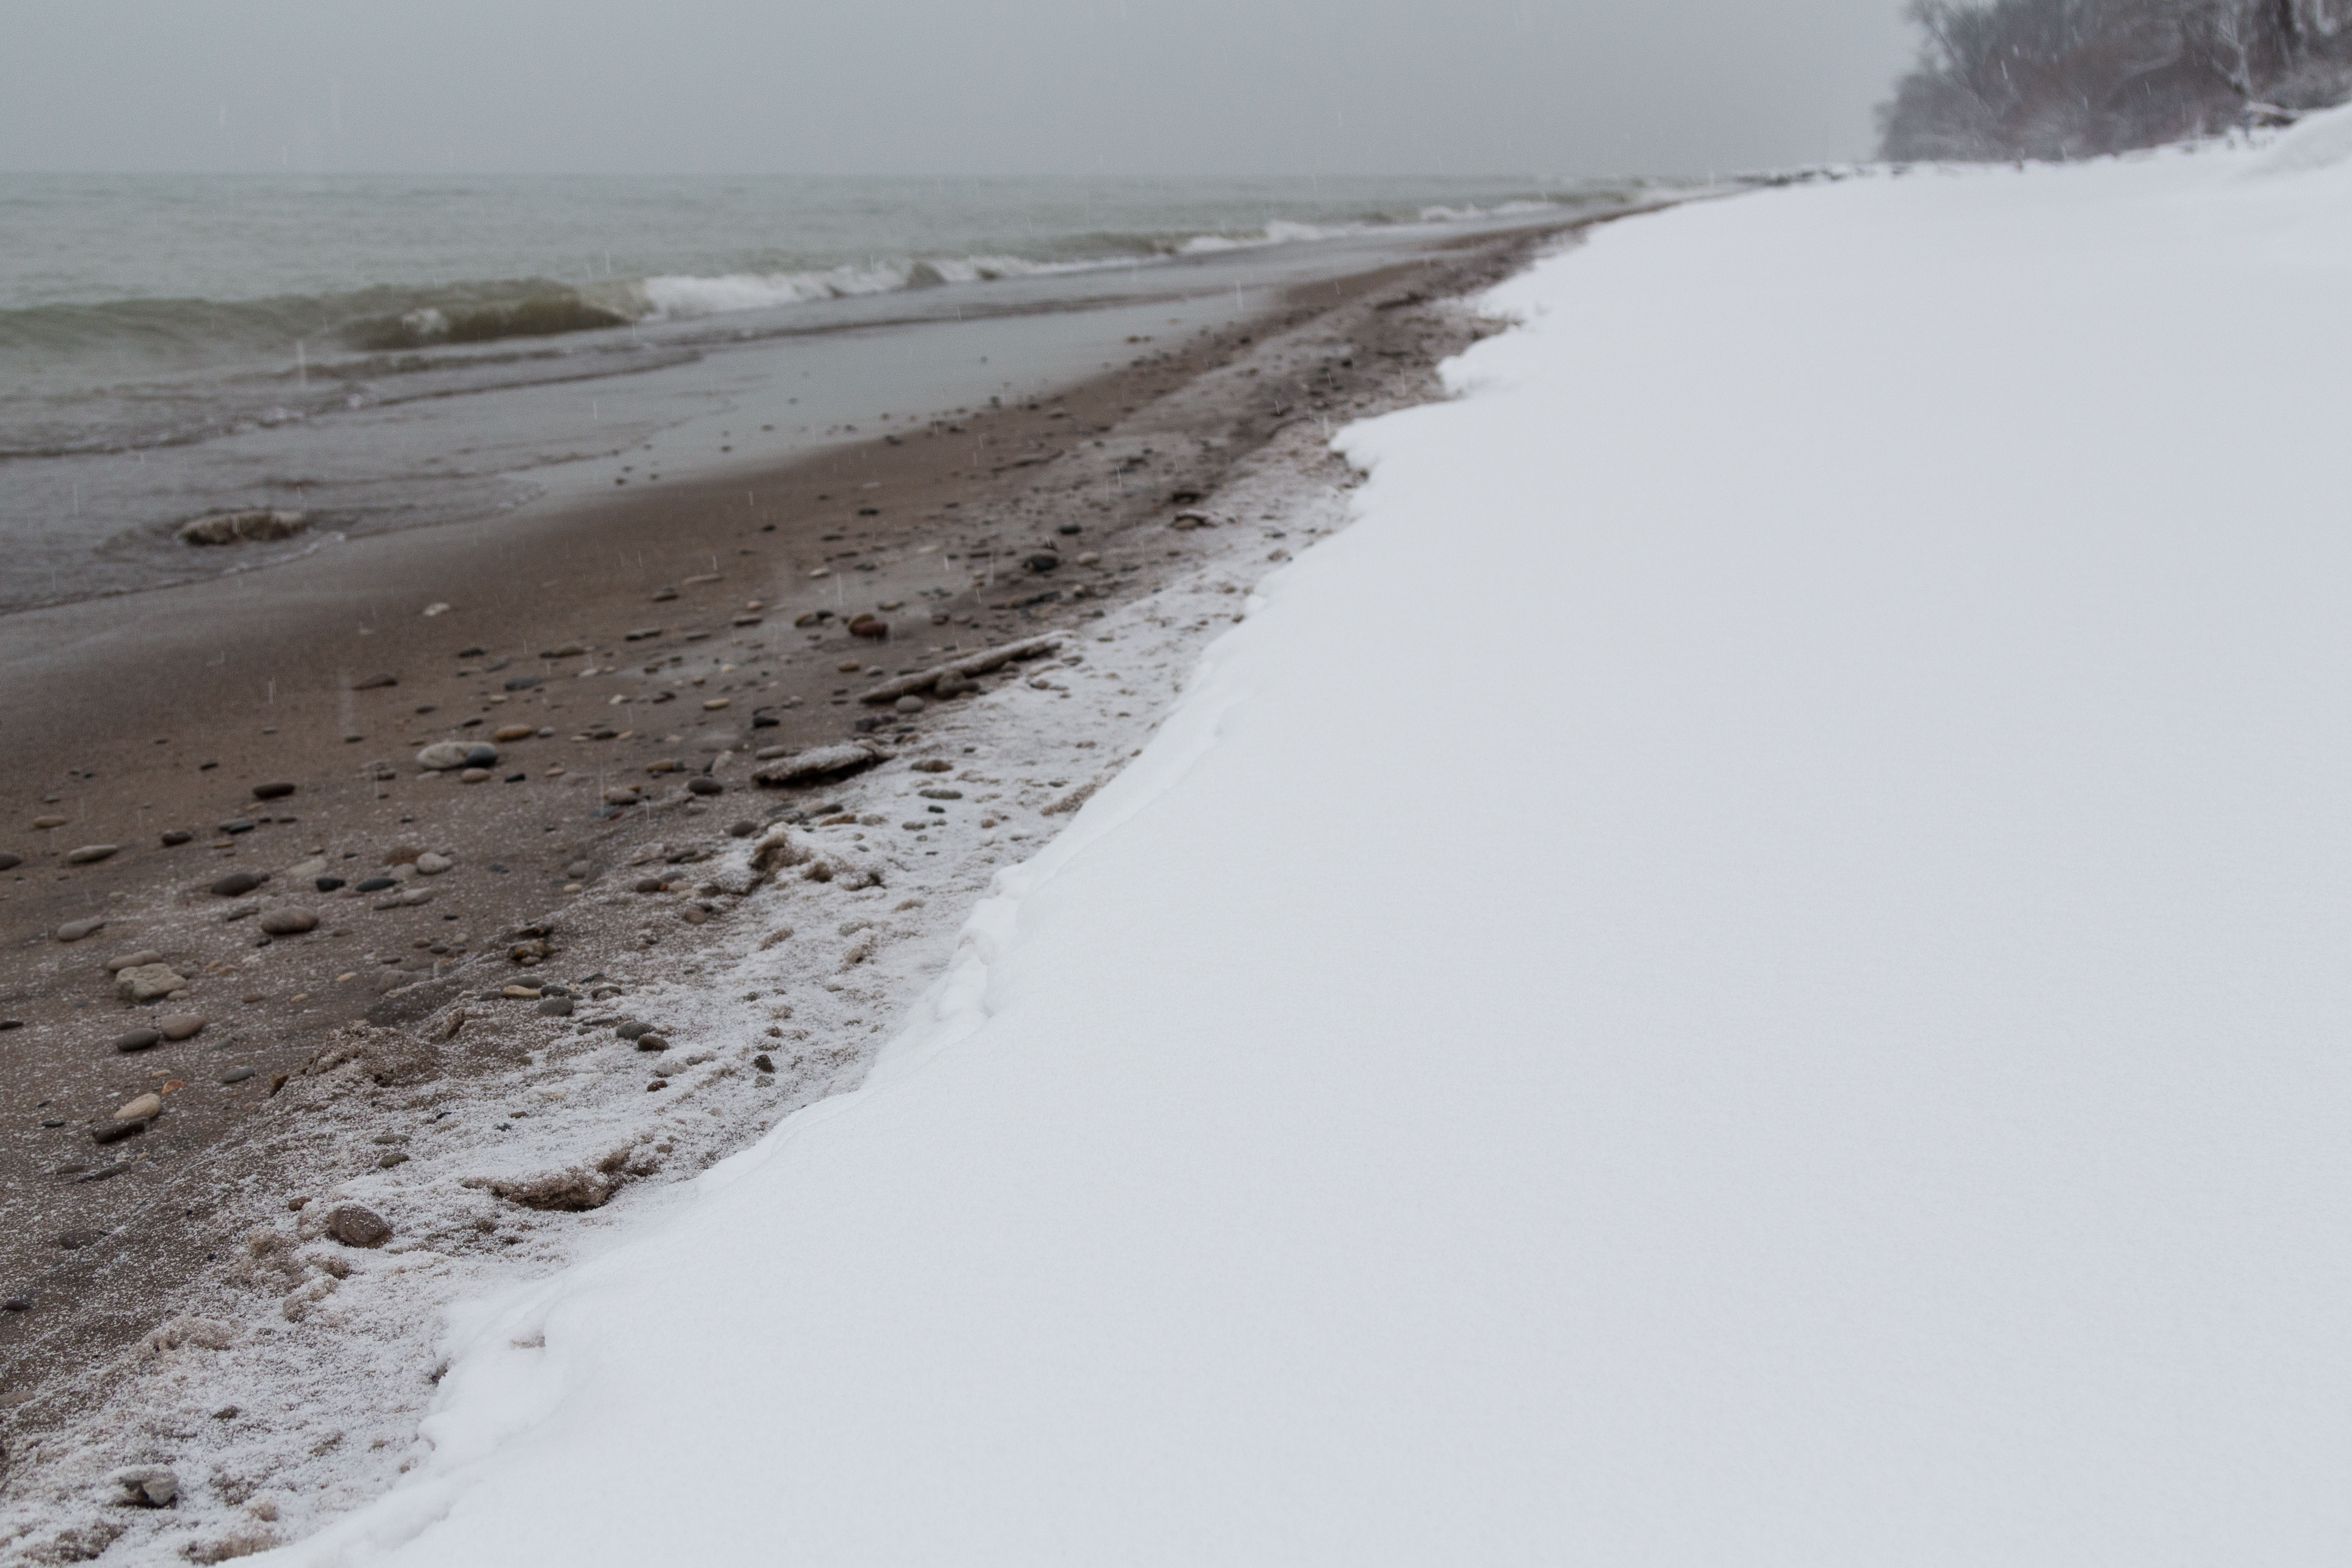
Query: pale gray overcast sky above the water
{"x": 944, "y": 86}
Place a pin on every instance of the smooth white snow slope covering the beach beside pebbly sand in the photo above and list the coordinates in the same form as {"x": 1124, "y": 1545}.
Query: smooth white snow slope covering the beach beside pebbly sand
{"x": 1749, "y": 970}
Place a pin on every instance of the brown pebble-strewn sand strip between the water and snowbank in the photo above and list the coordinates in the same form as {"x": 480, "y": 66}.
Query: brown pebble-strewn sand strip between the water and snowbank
{"x": 542, "y": 852}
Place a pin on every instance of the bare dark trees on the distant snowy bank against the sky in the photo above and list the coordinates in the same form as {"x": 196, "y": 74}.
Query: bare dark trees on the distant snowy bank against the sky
{"x": 2076, "y": 79}
